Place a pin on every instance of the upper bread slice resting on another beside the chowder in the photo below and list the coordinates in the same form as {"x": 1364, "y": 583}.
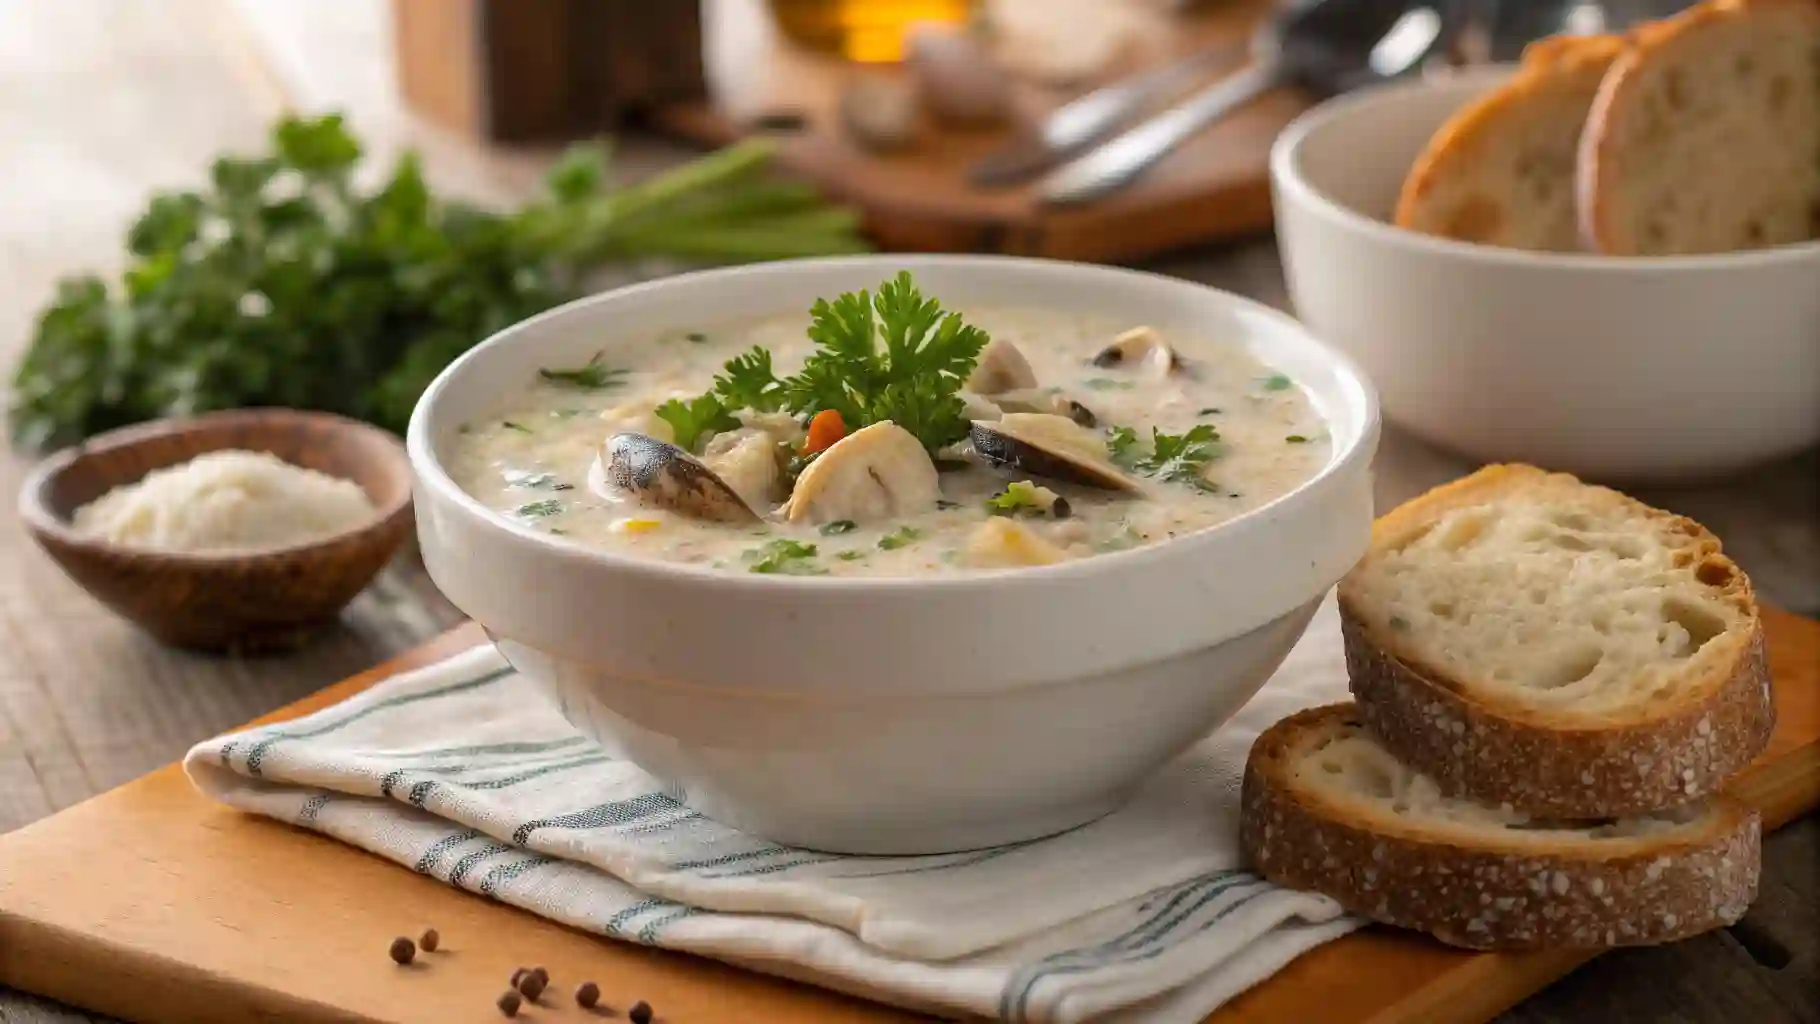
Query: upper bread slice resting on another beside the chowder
{"x": 1533, "y": 641}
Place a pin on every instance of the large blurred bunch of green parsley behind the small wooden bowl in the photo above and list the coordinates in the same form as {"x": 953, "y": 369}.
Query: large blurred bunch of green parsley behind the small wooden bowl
{"x": 283, "y": 283}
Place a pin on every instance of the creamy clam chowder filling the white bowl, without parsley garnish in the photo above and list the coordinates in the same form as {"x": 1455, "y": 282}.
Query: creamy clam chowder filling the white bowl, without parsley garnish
{"x": 1075, "y": 436}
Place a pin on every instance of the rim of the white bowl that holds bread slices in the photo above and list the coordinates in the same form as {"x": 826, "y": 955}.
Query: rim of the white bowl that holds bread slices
{"x": 1286, "y": 170}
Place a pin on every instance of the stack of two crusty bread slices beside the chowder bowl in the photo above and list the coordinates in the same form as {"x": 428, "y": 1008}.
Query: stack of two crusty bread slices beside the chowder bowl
{"x": 1552, "y": 687}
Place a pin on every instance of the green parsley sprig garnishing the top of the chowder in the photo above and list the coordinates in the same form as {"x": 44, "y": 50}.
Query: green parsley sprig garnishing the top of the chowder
{"x": 889, "y": 357}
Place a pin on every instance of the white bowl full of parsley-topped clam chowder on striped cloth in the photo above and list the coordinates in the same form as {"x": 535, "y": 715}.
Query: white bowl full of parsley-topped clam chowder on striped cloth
{"x": 898, "y": 556}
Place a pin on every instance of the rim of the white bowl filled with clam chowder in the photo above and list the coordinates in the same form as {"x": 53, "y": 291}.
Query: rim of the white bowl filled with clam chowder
{"x": 432, "y": 476}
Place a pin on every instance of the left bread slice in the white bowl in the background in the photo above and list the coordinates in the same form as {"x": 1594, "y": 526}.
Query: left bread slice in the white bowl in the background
{"x": 1502, "y": 170}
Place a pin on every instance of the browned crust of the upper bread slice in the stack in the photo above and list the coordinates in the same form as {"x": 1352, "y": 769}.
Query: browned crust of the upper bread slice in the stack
{"x": 1550, "y": 761}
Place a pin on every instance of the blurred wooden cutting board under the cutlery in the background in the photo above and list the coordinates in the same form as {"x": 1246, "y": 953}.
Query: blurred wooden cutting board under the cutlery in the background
{"x": 1217, "y": 186}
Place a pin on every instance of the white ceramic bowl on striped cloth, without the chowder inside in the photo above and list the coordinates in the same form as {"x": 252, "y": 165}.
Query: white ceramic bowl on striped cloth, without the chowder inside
{"x": 900, "y": 716}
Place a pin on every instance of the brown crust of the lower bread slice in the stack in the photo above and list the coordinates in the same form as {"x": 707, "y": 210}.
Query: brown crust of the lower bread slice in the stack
{"x": 1504, "y": 892}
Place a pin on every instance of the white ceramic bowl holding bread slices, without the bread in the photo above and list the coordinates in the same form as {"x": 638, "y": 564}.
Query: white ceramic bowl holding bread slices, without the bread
{"x": 1613, "y": 368}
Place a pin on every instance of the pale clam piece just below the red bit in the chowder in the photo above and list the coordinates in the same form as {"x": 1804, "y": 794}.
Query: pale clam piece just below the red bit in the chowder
{"x": 873, "y": 474}
